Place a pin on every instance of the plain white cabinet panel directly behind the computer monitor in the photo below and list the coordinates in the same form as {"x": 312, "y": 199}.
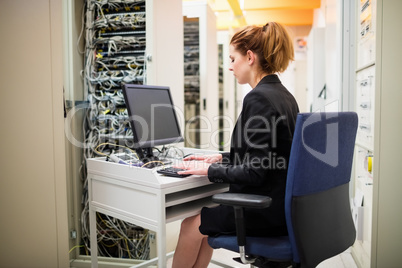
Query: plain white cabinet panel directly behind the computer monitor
{"x": 164, "y": 35}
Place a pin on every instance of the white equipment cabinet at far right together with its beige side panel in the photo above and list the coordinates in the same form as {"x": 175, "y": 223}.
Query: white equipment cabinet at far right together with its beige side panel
{"x": 378, "y": 96}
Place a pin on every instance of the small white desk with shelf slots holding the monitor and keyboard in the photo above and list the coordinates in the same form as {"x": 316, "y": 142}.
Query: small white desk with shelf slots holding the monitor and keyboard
{"x": 143, "y": 197}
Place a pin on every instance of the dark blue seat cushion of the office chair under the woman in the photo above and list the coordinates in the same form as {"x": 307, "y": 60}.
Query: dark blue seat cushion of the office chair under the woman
{"x": 277, "y": 248}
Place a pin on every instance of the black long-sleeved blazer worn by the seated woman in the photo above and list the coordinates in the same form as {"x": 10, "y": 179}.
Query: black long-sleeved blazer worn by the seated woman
{"x": 260, "y": 149}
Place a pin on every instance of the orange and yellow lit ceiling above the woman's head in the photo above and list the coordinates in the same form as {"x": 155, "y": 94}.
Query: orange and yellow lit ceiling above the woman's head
{"x": 238, "y": 13}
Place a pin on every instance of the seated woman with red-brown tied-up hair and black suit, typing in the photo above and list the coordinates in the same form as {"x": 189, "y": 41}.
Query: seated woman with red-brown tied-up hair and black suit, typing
{"x": 260, "y": 145}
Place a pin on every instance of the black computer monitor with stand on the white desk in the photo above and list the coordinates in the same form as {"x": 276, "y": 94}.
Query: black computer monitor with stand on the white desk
{"x": 152, "y": 118}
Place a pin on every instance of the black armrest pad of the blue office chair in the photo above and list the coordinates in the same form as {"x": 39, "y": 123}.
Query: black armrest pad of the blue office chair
{"x": 242, "y": 200}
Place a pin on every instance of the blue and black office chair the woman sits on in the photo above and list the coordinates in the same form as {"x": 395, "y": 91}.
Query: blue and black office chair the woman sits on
{"x": 317, "y": 208}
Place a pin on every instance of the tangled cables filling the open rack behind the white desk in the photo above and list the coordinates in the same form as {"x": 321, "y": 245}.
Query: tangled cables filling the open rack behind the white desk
{"x": 114, "y": 55}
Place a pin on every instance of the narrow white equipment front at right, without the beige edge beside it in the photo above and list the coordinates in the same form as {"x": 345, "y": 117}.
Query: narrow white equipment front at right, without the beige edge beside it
{"x": 365, "y": 88}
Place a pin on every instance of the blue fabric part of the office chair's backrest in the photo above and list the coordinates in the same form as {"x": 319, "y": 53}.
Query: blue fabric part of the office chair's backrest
{"x": 321, "y": 158}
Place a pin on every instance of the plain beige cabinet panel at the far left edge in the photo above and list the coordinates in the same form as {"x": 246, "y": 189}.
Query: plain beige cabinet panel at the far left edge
{"x": 33, "y": 202}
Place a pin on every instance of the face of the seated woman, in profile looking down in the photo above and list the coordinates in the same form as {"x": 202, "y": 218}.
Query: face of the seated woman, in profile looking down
{"x": 239, "y": 65}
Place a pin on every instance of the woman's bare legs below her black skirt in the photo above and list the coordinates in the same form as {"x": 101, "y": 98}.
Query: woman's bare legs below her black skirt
{"x": 192, "y": 248}
